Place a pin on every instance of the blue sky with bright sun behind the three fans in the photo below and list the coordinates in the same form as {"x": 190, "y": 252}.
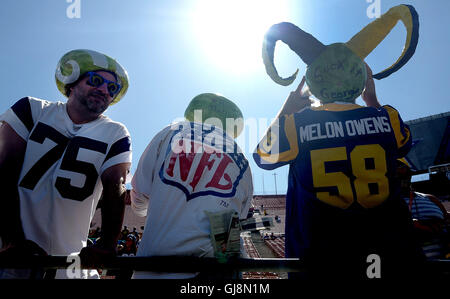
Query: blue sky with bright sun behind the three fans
{"x": 175, "y": 50}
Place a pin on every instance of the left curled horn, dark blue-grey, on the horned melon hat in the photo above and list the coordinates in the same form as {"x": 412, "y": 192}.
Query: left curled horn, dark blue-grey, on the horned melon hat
{"x": 304, "y": 44}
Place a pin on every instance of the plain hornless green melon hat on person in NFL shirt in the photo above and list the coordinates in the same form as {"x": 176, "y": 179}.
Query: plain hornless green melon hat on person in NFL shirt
{"x": 216, "y": 110}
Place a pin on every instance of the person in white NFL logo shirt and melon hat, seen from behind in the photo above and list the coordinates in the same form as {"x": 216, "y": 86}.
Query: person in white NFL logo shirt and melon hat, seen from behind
{"x": 189, "y": 168}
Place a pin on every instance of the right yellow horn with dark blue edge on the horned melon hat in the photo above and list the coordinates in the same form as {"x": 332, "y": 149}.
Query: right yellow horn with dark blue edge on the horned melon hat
{"x": 373, "y": 34}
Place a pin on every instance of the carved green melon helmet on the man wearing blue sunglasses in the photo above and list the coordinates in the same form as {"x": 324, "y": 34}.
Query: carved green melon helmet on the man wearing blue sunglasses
{"x": 77, "y": 62}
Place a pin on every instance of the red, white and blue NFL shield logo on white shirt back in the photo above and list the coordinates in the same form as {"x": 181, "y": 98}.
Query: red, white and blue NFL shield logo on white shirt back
{"x": 199, "y": 167}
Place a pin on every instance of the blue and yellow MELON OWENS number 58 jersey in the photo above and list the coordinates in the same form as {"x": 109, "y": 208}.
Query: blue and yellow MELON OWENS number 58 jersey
{"x": 342, "y": 161}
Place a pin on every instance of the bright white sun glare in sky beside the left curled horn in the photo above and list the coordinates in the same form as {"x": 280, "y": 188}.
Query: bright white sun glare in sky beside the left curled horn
{"x": 230, "y": 33}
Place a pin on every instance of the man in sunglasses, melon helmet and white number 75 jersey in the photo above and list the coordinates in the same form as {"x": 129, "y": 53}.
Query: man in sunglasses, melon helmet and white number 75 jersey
{"x": 57, "y": 159}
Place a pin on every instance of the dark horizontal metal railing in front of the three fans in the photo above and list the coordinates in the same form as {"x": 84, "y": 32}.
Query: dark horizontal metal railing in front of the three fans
{"x": 178, "y": 264}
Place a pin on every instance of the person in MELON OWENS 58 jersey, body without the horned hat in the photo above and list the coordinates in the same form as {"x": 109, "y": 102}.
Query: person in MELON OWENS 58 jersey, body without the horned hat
{"x": 343, "y": 201}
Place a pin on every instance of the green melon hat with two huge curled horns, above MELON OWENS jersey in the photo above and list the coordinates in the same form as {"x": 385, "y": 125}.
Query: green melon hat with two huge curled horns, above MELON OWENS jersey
{"x": 337, "y": 72}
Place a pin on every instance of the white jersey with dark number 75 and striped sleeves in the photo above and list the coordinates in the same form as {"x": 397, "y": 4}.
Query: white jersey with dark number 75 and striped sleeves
{"x": 59, "y": 184}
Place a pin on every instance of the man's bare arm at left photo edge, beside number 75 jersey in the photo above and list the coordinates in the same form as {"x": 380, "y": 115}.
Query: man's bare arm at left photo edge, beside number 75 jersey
{"x": 12, "y": 152}
